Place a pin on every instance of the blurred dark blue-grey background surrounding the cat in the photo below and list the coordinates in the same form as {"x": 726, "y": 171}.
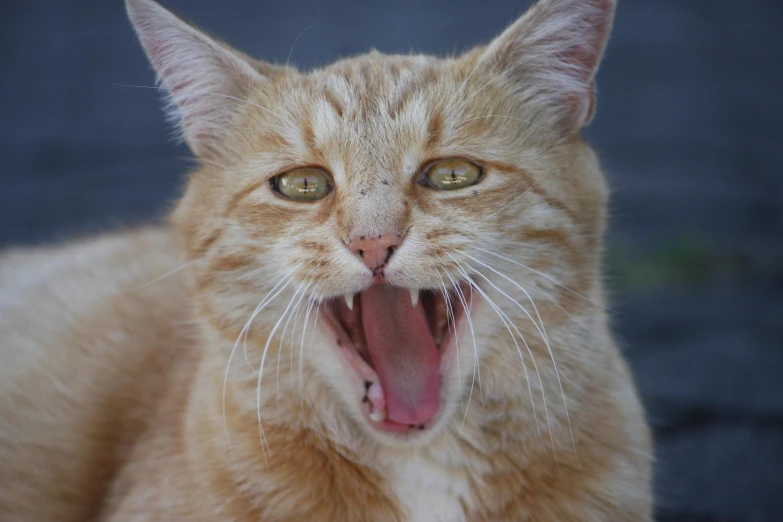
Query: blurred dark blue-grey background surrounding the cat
{"x": 689, "y": 127}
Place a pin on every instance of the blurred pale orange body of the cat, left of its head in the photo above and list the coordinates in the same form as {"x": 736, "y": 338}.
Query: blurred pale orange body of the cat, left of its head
{"x": 91, "y": 333}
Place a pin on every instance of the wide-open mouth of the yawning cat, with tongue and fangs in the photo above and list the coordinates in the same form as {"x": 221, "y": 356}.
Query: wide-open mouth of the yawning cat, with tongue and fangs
{"x": 394, "y": 339}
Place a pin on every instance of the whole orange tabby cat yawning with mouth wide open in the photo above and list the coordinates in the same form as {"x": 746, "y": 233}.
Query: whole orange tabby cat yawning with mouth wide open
{"x": 378, "y": 299}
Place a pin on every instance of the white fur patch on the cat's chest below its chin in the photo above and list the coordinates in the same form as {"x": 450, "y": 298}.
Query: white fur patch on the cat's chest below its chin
{"x": 428, "y": 489}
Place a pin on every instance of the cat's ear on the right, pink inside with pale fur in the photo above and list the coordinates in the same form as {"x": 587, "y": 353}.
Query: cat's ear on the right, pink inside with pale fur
{"x": 551, "y": 55}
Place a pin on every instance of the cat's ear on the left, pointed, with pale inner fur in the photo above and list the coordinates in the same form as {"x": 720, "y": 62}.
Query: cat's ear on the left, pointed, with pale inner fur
{"x": 206, "y": 80}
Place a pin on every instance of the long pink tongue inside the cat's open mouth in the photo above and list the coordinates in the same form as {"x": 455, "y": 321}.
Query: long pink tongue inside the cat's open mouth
{"x": 403, "y": 353}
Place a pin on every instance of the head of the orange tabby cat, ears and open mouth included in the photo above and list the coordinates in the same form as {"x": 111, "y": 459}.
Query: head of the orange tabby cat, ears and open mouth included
{"x": 381, "y": 198}
